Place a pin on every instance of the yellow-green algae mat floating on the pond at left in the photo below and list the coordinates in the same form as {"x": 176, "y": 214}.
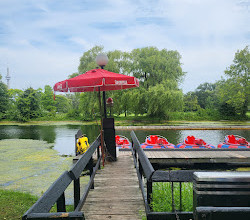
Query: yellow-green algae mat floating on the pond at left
{"x": 30, "y": 165}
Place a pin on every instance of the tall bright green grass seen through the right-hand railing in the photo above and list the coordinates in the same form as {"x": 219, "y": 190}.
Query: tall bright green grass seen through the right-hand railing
{"x": 162, "y": 197}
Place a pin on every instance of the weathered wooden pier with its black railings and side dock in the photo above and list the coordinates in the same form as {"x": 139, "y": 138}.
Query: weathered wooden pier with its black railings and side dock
{"x": 120, "y": 194}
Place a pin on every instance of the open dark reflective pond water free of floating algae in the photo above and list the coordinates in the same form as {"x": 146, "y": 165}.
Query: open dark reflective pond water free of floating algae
{"x": 63, "y": 136}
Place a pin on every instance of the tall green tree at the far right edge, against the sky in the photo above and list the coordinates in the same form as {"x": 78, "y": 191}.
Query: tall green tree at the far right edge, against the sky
{"x": 235, "y": 90}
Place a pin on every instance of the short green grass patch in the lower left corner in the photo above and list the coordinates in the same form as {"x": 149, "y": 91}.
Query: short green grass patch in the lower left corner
{"x": 14, "y": 204}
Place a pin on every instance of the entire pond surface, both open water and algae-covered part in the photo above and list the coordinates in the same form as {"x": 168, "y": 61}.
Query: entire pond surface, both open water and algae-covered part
{"x": 30, "y": 155}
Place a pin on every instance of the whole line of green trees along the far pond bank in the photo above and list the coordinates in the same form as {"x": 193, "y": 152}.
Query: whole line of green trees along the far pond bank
{"x": 158, "y": 96}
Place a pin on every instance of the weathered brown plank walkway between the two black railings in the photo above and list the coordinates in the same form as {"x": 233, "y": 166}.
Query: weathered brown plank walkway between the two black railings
{"x": 117, "y": 194}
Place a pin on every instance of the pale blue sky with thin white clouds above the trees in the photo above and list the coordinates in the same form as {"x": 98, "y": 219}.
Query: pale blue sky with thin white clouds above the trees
{"x": 41, "y": 41}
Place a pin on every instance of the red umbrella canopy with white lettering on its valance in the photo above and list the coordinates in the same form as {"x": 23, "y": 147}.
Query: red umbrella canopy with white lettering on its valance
{"x": 96, "y": 79}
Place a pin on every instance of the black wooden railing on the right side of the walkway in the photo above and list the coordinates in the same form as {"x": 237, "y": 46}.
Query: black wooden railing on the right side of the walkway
{"x": 145, "y": 168}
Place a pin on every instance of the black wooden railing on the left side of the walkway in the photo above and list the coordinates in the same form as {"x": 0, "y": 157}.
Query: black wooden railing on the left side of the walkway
{"x": 56, "y": 192}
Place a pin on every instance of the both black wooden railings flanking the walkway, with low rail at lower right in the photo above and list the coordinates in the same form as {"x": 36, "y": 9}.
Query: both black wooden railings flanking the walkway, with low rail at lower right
{"x": 147, "y": 175}
